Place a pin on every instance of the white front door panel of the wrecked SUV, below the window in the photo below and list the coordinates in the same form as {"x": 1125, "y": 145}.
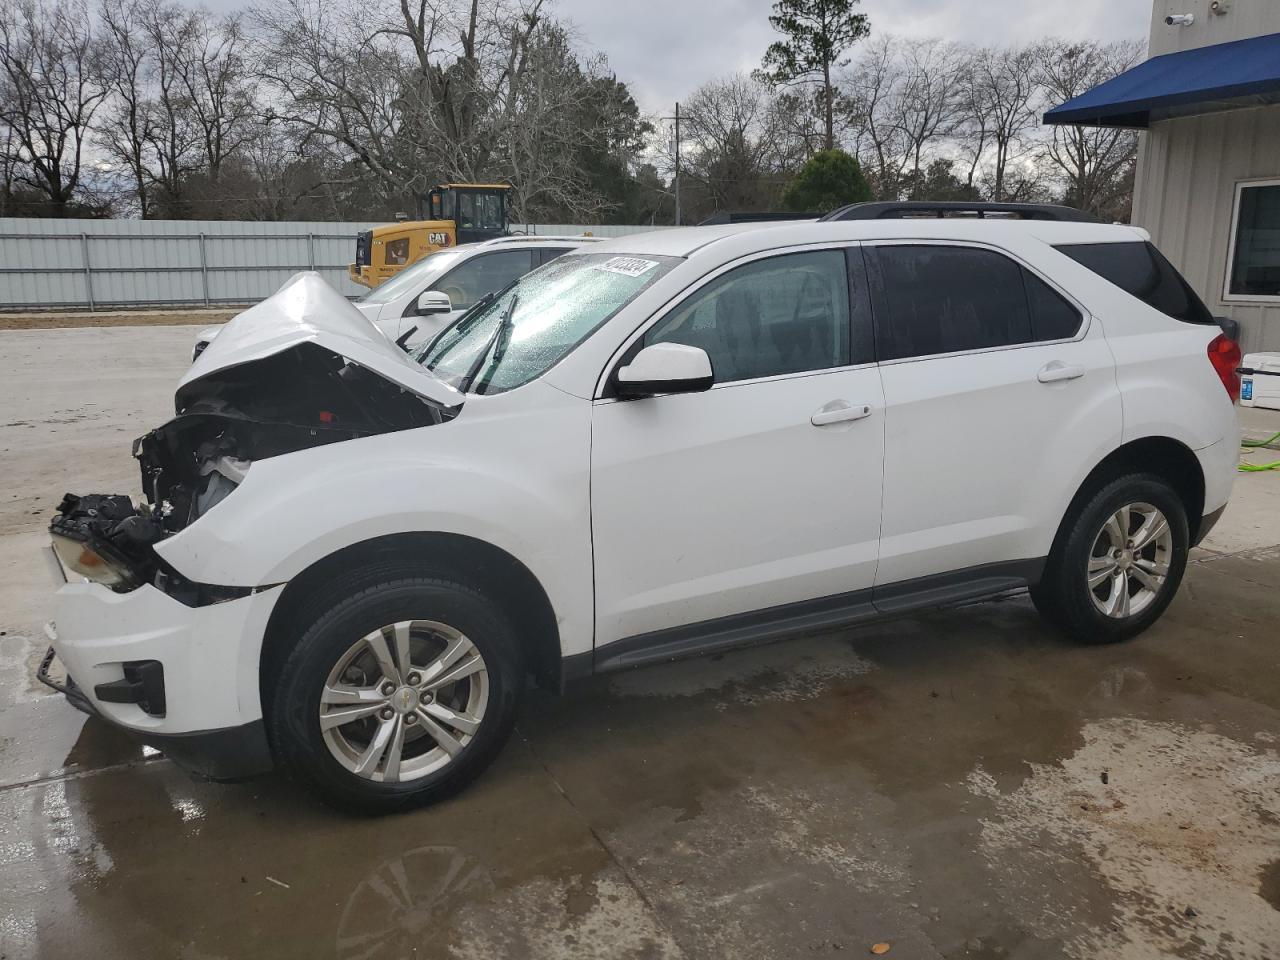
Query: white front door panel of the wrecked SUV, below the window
{"x": 715, "y": 504}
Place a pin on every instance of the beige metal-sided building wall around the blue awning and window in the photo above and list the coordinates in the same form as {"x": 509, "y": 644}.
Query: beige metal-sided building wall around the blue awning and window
{"x": 1188, "y": 168}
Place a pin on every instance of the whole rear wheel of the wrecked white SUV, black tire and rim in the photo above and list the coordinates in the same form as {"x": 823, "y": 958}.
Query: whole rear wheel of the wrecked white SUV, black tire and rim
{"x": 1136, "y": 573}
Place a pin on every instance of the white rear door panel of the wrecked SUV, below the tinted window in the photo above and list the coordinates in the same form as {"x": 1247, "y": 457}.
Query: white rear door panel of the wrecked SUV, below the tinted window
{"x": 981, "y": 458}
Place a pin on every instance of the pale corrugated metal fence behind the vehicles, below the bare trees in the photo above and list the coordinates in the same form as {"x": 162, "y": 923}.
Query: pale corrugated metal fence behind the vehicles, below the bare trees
{"x": 104, "y": 264}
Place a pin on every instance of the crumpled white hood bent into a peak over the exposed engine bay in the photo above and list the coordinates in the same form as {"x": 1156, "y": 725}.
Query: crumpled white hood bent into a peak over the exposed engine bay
{"x": 308, "y": 310}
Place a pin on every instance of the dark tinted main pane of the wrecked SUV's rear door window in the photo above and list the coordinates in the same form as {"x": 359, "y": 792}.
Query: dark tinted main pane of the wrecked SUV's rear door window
{"x": 945, "y": 299}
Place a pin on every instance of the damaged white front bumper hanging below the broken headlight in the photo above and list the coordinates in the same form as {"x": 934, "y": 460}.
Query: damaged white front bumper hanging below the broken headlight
{"x": 211, "y": 716}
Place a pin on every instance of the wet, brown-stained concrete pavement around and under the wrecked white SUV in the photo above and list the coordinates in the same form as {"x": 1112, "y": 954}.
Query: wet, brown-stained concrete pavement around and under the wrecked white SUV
{"x": 958, "y": 785}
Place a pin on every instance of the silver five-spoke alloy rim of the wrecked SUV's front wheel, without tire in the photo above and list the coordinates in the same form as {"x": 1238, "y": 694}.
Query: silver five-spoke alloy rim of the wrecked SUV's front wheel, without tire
{"x": 404, "y": 701}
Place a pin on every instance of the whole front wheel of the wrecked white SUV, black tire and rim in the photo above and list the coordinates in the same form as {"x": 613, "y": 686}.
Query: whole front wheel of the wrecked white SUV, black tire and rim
{"x": 351, "y": 652}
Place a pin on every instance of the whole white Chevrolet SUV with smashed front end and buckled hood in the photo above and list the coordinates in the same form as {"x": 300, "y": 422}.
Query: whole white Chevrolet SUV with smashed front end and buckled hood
{"x": 666, "y": 445}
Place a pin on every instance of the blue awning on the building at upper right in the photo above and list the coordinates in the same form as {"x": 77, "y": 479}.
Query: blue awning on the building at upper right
{"x": 1220, "y": 77}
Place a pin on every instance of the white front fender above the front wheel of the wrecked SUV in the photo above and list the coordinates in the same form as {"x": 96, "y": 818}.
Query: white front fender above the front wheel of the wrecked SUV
{"x": 298, "y": 509}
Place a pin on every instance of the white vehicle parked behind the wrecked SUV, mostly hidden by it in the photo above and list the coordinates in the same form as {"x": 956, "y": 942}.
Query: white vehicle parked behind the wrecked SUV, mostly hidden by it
{"x": 424, "y": 299}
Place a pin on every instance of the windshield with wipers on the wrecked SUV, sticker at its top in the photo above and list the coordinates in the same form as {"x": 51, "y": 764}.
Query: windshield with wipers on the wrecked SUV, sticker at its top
{"x": 557, "y": 308}
